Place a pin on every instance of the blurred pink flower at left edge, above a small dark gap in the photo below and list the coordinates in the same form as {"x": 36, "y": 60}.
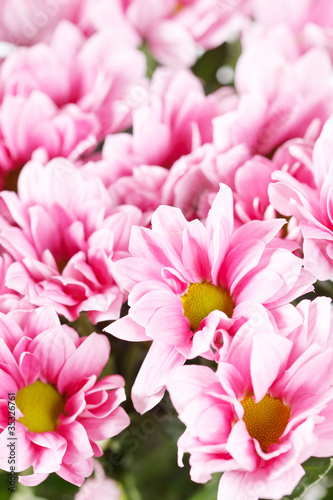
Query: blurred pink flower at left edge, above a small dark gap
{"x": 34, "y": 127}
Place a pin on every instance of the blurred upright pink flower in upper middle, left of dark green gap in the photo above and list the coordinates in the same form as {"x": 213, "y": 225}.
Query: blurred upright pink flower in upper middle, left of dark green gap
{"x": 172, "y": 120}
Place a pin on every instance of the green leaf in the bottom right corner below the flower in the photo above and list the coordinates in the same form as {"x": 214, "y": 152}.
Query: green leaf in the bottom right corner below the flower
{"x": 315, "y": 470}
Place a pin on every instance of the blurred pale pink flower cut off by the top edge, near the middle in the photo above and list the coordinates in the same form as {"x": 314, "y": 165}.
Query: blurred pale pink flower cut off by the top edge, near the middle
{"x": 173, "y": 30}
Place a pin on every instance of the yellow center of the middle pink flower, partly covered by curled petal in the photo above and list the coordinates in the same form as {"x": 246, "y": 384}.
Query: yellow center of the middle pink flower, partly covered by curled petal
{"x": 201, "y": 299}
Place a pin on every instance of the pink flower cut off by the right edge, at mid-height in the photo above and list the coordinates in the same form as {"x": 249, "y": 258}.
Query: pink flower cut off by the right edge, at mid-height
{"x": 311, "y": 205}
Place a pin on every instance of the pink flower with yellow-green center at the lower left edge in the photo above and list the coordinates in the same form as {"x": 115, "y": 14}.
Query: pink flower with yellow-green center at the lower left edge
{"x": 61, "y": 409}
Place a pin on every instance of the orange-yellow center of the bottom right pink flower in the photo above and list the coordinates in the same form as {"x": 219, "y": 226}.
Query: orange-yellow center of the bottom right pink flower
{"x": 266, "y": 420}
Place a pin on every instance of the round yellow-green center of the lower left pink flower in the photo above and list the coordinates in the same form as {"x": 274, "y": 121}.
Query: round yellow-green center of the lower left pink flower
{"x": 41, "y": 405}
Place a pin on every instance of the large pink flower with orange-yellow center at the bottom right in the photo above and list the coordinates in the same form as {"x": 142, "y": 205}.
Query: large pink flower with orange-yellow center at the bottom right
{"x": 263, "y": 413}
